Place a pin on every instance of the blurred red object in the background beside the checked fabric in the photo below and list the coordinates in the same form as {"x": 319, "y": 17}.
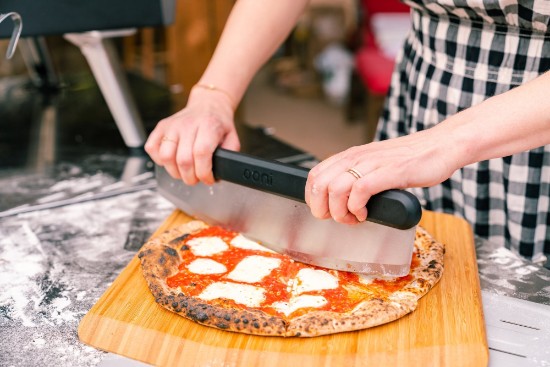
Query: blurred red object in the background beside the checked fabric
{"x": 374, "y": 66}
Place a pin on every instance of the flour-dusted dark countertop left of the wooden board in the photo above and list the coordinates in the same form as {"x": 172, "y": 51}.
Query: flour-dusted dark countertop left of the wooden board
{"x": 54, "y": 266}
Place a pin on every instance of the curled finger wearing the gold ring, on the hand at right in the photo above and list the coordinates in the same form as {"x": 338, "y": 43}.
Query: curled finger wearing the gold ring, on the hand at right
{"x": 338, "y": 194}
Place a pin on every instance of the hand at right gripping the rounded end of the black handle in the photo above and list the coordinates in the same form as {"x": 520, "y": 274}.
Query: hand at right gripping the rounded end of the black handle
{"x": 340, "y": 186}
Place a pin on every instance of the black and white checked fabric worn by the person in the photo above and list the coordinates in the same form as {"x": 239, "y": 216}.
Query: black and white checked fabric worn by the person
{"x": 459, "y": 53}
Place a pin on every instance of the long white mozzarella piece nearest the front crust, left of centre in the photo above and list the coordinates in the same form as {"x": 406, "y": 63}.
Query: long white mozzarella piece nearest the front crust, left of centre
{"x": 244, "y": 294}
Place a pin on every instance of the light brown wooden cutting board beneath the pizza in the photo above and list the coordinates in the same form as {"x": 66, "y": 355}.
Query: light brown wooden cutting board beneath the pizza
{"x": 447, "y": 328}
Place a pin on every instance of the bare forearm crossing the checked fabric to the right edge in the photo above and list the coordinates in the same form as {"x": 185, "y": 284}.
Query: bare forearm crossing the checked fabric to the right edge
{"x": 512, "y": 122}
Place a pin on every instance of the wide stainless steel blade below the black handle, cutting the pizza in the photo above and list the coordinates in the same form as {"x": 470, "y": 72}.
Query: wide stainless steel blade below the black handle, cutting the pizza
{"x": 287, "y": 226}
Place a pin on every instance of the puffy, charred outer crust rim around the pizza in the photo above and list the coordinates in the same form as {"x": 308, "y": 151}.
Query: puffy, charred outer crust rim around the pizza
{"x": 160, "y": 258}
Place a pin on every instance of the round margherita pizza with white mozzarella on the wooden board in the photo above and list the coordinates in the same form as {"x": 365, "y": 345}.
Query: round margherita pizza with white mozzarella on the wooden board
{"x": 219, "y": 278}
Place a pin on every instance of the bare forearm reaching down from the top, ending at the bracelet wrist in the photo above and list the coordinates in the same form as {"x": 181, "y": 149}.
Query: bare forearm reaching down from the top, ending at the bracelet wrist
{"x": 252, "y": 33}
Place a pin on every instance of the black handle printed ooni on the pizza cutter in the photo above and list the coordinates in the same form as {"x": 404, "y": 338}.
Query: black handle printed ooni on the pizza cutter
{"x": 395, "y": 208}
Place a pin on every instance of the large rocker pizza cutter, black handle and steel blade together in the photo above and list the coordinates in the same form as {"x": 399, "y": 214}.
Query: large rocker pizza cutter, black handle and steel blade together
{"x": 264, "y": 199}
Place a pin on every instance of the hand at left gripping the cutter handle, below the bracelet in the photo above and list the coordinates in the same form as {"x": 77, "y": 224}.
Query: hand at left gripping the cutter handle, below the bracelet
{"x": 185, "y": 142}
